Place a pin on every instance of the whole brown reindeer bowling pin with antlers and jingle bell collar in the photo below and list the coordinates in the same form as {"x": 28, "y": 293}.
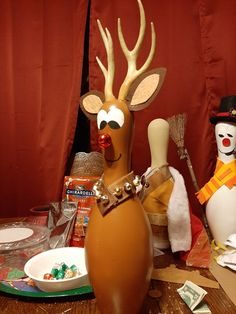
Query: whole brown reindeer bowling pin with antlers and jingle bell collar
{"x": 118, "y": 242}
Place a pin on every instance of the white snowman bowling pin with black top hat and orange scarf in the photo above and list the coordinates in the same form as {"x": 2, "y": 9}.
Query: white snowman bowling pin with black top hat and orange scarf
{"x": 219, "y": 192}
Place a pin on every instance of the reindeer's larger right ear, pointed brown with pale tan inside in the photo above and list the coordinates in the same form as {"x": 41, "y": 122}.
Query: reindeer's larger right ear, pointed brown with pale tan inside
{"x": 145, "y": 88}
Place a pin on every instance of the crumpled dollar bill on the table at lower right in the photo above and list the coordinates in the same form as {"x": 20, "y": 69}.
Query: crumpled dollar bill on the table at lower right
{"x": 192, "y": 295}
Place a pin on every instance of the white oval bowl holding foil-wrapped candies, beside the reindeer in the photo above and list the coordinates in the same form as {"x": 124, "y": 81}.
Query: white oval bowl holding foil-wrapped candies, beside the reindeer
{"x": 43, "y": 263}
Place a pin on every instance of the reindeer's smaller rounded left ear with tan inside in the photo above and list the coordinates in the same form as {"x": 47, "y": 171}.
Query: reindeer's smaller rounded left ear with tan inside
{"x": 91, "y": 103}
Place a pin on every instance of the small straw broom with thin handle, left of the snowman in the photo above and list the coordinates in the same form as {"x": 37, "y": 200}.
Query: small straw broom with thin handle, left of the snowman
{"x": 177, "y": 130}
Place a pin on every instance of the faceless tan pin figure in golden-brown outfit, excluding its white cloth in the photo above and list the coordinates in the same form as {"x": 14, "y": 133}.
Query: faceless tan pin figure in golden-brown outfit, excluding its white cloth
{"x": 159, "y": 183}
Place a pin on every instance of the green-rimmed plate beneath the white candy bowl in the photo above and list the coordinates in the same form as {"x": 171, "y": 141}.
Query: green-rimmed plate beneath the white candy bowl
{"x": 21, "y": 288}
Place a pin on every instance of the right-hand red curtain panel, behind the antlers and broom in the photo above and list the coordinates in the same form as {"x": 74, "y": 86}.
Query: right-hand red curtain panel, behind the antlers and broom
{"x": 196, "y": 43}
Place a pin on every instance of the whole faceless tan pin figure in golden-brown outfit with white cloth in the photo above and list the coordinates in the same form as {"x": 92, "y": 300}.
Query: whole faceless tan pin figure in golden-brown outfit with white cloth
{"x": 164, "y": 195}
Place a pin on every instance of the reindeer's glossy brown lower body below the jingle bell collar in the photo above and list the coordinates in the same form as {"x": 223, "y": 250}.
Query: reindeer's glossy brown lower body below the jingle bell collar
{"x": 119, "y": 257}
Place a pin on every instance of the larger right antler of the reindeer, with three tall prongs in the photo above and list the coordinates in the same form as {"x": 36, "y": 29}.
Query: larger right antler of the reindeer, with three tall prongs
{"x": 131, "y": 55}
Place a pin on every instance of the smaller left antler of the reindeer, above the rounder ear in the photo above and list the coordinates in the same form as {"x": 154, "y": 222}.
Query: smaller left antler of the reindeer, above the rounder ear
{"x": 110, "y": 71}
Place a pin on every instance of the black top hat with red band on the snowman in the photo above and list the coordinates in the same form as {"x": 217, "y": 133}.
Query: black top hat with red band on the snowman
{"x": 227, "y": 110}
